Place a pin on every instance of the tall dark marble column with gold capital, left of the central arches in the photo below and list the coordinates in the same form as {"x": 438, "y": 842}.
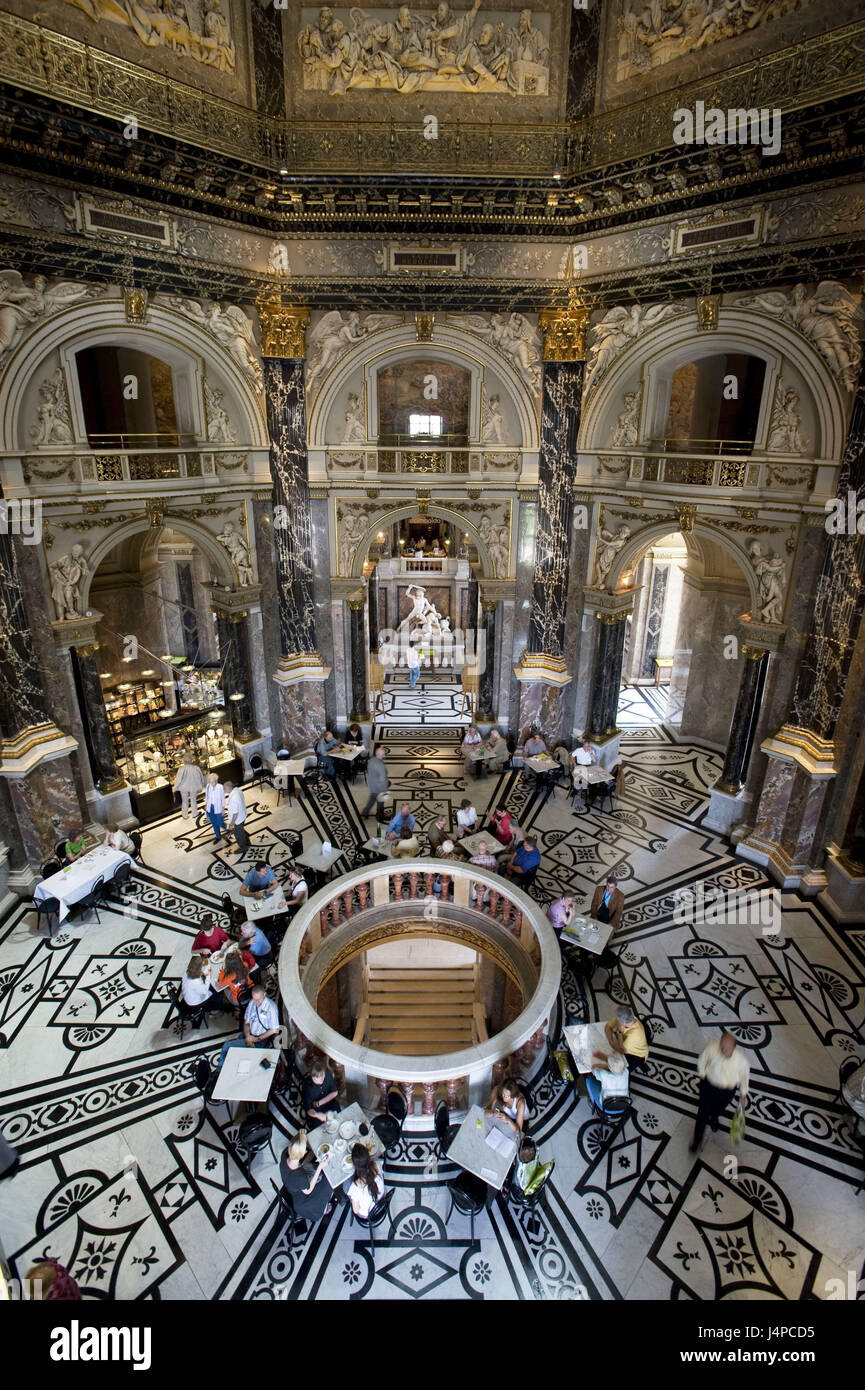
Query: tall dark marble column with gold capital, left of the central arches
{"x": 302, "y": 673}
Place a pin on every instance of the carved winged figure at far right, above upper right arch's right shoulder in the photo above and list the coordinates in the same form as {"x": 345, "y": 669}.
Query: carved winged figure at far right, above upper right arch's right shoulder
{"x": 828, "y": 319}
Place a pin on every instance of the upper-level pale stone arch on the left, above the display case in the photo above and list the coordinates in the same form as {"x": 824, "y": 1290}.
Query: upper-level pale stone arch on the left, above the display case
{"x": 166, "y": 334}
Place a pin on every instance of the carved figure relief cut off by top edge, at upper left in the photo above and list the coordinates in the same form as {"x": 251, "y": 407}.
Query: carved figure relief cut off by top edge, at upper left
{"x": 172, "y": 24}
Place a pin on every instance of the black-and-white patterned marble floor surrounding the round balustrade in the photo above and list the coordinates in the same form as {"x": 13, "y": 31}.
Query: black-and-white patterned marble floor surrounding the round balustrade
{"x": 143, "y": 1196}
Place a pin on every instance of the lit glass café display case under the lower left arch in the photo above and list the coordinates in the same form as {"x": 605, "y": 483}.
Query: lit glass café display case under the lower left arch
{"x": 152, "y": 757}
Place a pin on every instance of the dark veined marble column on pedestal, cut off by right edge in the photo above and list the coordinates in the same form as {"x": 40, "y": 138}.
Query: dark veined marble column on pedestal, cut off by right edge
{"x": 788, "y": 836}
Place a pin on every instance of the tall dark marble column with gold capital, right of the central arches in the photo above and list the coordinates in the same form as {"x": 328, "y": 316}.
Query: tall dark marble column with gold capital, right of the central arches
{"x": 543, "y": 671}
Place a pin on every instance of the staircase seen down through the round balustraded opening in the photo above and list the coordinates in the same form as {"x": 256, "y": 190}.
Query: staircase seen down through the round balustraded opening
{"x": 422, "y": 1013}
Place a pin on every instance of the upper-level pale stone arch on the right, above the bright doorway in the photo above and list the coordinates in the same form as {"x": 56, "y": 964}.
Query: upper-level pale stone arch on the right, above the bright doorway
{"x": 741, "y": 329}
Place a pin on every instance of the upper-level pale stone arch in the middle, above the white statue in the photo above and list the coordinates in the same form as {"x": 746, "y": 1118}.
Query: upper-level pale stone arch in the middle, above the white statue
{"x": 398, "y": 345}
